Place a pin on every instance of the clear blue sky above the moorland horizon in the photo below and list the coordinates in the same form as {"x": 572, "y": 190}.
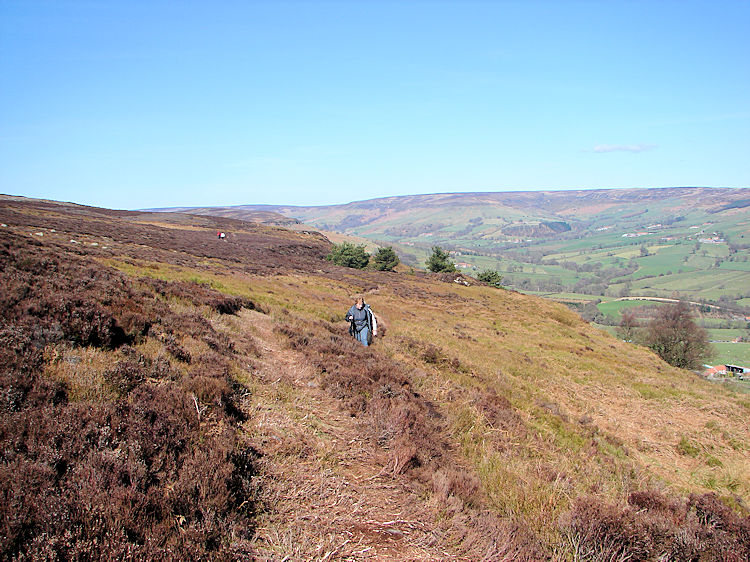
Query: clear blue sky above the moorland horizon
{"x": 135, "y": 104}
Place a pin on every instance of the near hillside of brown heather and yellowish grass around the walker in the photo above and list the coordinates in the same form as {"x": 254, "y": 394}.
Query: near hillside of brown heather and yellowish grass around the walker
{"x": 170, "y": 395}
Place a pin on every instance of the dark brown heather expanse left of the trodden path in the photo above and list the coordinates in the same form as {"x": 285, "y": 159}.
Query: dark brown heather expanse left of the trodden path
{"x": 146, "y": 461}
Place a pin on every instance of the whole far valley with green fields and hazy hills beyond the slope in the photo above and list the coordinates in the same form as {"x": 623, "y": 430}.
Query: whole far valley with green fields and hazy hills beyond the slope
{"x": 594, "y": 250}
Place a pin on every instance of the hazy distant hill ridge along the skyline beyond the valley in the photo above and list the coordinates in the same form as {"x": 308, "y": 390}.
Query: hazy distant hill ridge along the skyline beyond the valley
{"x": 498, "y": 216}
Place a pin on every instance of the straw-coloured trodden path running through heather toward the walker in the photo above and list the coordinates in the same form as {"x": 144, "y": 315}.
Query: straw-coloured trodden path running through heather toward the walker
{"x": 326, "y": 494}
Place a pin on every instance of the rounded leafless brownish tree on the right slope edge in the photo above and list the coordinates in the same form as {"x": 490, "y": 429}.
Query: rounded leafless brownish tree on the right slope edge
{"x": 676, "y": 338}
